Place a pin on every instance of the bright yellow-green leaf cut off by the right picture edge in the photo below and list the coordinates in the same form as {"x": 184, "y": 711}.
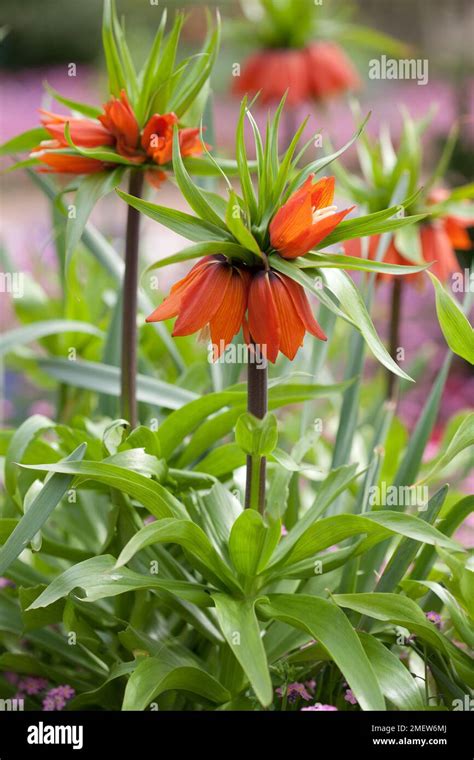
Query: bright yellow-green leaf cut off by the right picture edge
{"x": 453, "y": 322}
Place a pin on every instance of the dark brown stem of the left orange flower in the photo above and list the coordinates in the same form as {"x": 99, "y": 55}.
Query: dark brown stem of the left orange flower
{"x": 129, "y": 308}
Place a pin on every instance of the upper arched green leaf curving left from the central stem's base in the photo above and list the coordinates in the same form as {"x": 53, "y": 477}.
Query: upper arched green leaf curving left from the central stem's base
{"x": 193, "y": 540}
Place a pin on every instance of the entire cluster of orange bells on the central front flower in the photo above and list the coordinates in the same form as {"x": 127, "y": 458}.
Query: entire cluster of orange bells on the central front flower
{"x": 271, "y": 308}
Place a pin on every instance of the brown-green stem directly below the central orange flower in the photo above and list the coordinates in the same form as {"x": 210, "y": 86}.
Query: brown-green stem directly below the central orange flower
{"x": 257, "y": 405}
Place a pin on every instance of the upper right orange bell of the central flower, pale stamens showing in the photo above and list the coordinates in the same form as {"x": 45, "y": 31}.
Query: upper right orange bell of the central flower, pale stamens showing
{"x": 306, "y": 218}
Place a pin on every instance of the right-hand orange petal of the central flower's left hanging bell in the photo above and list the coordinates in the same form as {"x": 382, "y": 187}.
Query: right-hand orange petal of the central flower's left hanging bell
{"x": 227, "y": 320}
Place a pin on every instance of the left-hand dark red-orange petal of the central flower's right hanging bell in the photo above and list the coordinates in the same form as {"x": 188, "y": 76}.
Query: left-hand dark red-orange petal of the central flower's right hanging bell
{"x": 263, "y": 317}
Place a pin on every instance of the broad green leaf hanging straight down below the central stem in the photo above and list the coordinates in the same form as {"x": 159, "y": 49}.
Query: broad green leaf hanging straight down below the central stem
{"x": 241, "y": 630}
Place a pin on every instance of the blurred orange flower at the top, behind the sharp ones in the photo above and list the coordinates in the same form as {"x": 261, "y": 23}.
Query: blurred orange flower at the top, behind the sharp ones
{"x": 319, "y": 71}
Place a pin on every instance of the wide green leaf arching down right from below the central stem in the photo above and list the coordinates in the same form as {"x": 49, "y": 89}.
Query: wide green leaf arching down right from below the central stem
{"x": 322, "y": 620}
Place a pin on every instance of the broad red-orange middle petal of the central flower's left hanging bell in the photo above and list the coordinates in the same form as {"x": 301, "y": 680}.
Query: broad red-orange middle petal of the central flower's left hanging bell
{"x": 202, "y": 298}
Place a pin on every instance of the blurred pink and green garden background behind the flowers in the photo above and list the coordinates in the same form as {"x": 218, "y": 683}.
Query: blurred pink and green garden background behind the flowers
{"x": 40, "y": 40}
